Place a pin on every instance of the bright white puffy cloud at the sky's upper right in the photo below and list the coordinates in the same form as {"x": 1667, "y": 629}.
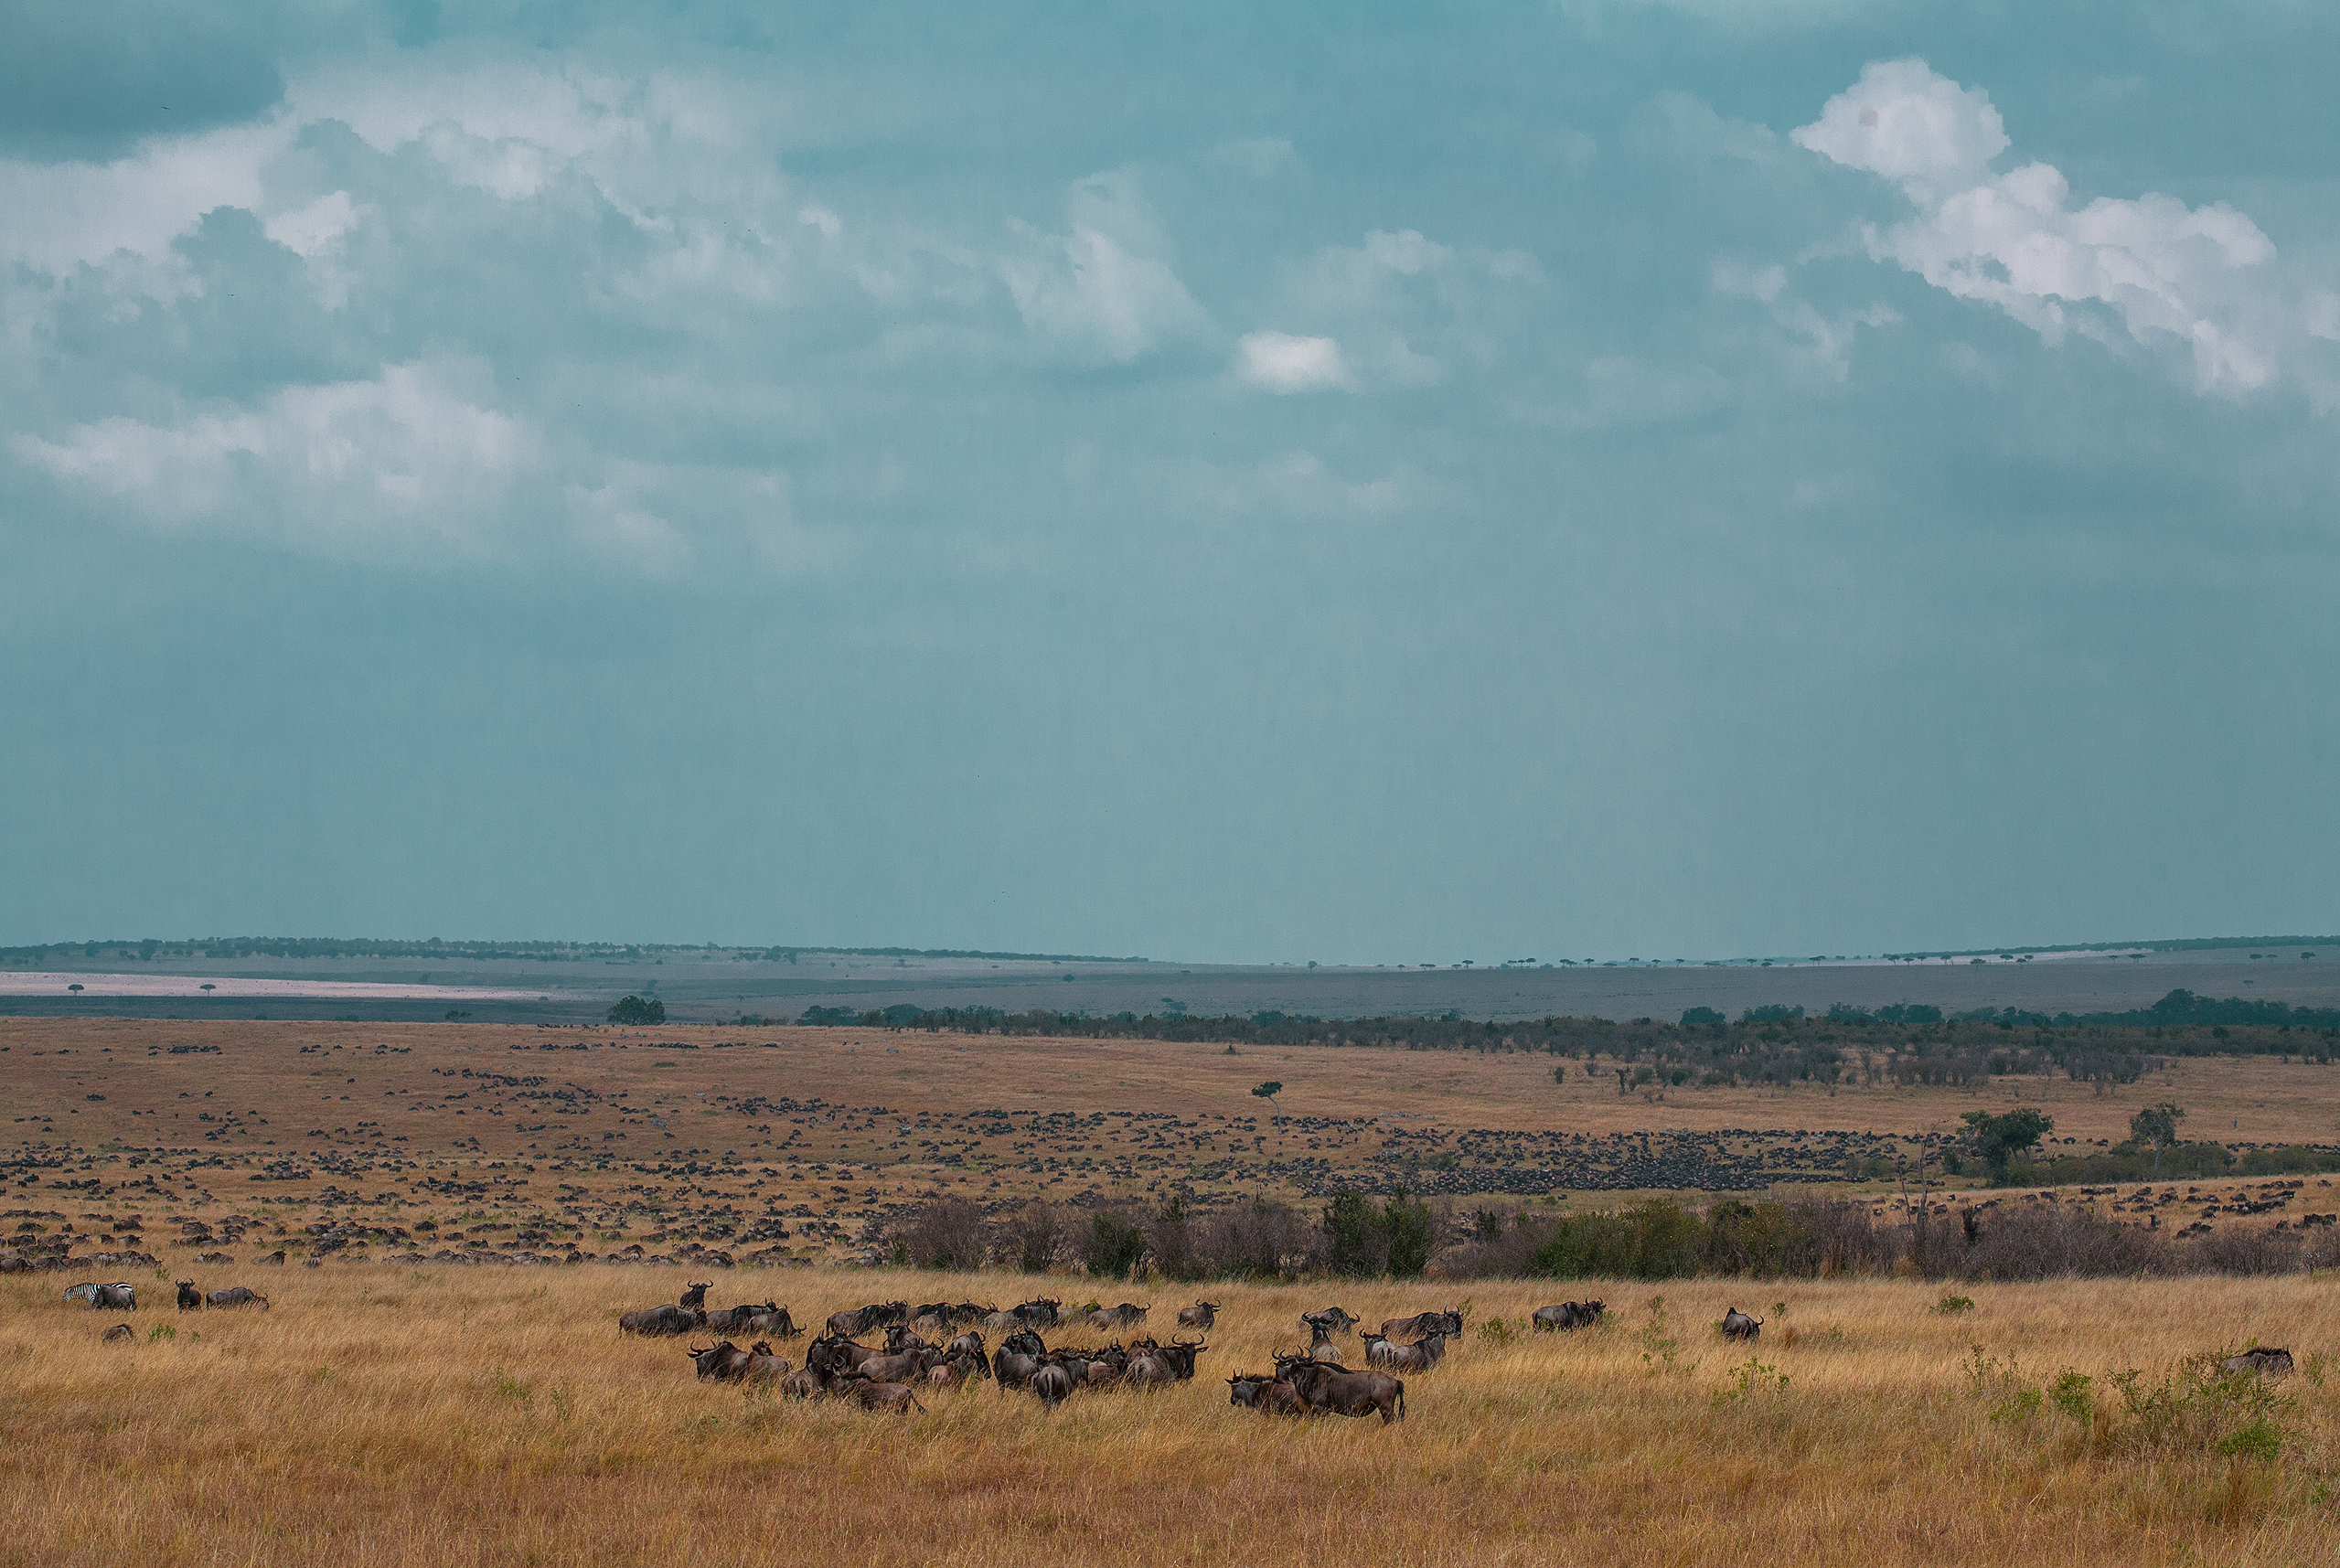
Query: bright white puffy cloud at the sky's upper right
{"x": 2152, "y": 270}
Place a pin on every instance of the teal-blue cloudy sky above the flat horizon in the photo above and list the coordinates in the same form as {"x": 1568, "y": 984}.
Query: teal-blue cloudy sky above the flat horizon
{"x": 1234, "y": 483}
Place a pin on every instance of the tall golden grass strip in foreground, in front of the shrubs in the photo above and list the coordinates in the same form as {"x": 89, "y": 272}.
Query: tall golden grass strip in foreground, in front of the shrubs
{"x": 443, "y": 1415}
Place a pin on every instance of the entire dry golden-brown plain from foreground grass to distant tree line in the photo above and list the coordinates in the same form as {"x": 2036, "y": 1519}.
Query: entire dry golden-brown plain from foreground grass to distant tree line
{"x": 434, "y": 1380}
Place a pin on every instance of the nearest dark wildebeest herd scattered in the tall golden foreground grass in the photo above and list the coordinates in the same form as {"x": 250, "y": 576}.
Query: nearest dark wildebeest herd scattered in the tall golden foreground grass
{"x": 942, "y": 1347}
